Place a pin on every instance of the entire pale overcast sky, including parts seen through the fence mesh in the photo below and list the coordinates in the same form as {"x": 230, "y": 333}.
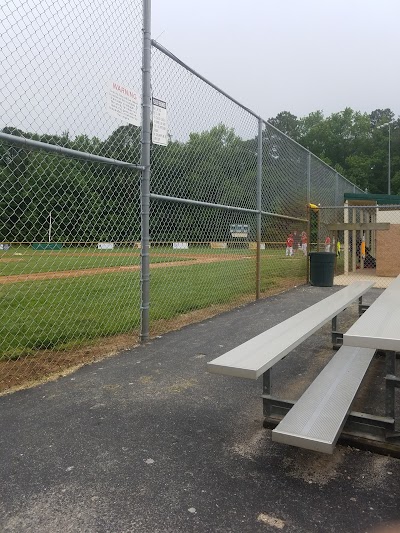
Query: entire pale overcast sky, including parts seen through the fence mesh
{"x": 57, "y": 58}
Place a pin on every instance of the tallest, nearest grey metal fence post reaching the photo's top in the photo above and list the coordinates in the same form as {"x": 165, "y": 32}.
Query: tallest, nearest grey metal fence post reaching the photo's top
{"x": 145, "y": 181}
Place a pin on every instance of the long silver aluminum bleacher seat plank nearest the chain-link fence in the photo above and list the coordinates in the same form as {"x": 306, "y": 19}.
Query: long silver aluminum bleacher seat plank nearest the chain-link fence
{"x": 254, "y": 357}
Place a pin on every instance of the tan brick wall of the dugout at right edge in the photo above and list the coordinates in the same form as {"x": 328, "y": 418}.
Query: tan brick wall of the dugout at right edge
{"x": 388, "y": 251}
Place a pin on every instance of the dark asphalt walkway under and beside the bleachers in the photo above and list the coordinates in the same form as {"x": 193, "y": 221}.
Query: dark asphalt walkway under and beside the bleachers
{"x": 148, "y": 441}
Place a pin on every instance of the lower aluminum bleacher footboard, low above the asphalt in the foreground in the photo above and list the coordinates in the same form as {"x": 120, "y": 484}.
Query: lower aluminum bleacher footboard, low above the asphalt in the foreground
{"x": 317, "y": 418}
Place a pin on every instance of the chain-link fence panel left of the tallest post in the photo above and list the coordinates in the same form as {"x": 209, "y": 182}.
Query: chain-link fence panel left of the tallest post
{"x": 69, "y": 180}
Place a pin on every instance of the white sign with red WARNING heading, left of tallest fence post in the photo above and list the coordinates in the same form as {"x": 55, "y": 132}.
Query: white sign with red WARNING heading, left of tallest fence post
{"x": 123, "y": 103}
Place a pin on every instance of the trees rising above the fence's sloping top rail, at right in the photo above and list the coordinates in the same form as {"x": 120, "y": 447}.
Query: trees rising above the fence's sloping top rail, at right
{"x": 356, "y": 144}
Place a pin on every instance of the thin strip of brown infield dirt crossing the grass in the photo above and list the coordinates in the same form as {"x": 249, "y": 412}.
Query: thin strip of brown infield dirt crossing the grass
{"x": 192, "y": 260}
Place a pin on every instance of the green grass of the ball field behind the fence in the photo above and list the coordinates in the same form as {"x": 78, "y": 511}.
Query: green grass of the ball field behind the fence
{"x": 61, "y": 313}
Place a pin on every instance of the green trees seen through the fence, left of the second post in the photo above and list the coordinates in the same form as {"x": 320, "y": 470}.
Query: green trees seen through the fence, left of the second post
{"x": 89, "y": 201}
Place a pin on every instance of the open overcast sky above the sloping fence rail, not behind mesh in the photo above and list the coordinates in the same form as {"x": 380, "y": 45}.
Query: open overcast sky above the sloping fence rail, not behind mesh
{"x": 289, "y": 55}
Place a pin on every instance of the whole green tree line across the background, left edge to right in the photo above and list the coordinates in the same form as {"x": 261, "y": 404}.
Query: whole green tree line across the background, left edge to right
{"x": 90, "y": 202}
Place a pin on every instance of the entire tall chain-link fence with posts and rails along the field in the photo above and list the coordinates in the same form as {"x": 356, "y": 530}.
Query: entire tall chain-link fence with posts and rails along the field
{"x": 90, "y": 206}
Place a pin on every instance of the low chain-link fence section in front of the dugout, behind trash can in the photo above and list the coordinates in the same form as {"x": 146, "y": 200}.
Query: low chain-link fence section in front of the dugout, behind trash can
{"x": 365, "y": 239}
